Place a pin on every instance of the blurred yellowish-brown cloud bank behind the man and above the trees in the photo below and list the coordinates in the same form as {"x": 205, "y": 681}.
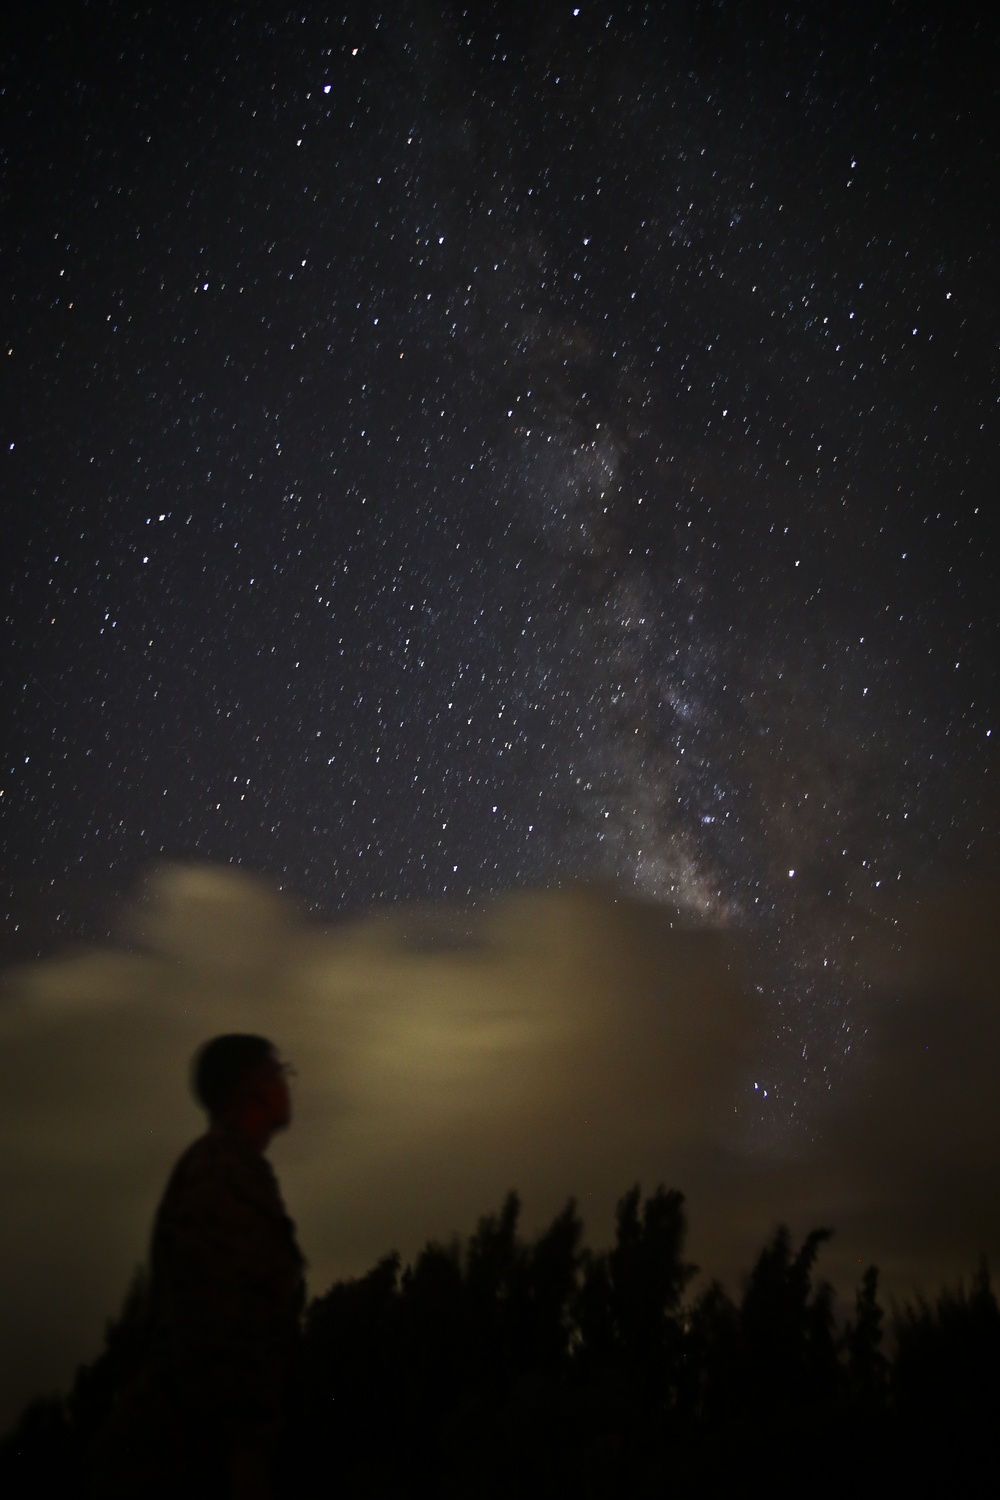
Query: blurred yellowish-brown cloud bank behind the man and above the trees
{"x": 561, "y": 1043}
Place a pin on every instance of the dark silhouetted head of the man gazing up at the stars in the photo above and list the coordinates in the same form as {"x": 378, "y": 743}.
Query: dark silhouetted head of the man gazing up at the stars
{"x": 242, "y": 1079}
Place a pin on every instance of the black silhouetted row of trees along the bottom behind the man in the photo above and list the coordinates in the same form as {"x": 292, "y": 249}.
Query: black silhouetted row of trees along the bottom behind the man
{"x": 503, "y": 1367}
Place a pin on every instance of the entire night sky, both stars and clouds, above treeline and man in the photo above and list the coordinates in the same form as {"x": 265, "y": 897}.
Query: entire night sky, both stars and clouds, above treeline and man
{"x": 452, "y": 452}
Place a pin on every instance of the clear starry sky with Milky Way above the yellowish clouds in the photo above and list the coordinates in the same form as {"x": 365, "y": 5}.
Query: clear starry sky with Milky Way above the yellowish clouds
{"x": 460, "y": 449}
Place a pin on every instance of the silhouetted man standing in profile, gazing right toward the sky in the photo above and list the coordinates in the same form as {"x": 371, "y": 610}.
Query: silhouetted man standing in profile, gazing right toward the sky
{"x": 226, "y": 1297}
